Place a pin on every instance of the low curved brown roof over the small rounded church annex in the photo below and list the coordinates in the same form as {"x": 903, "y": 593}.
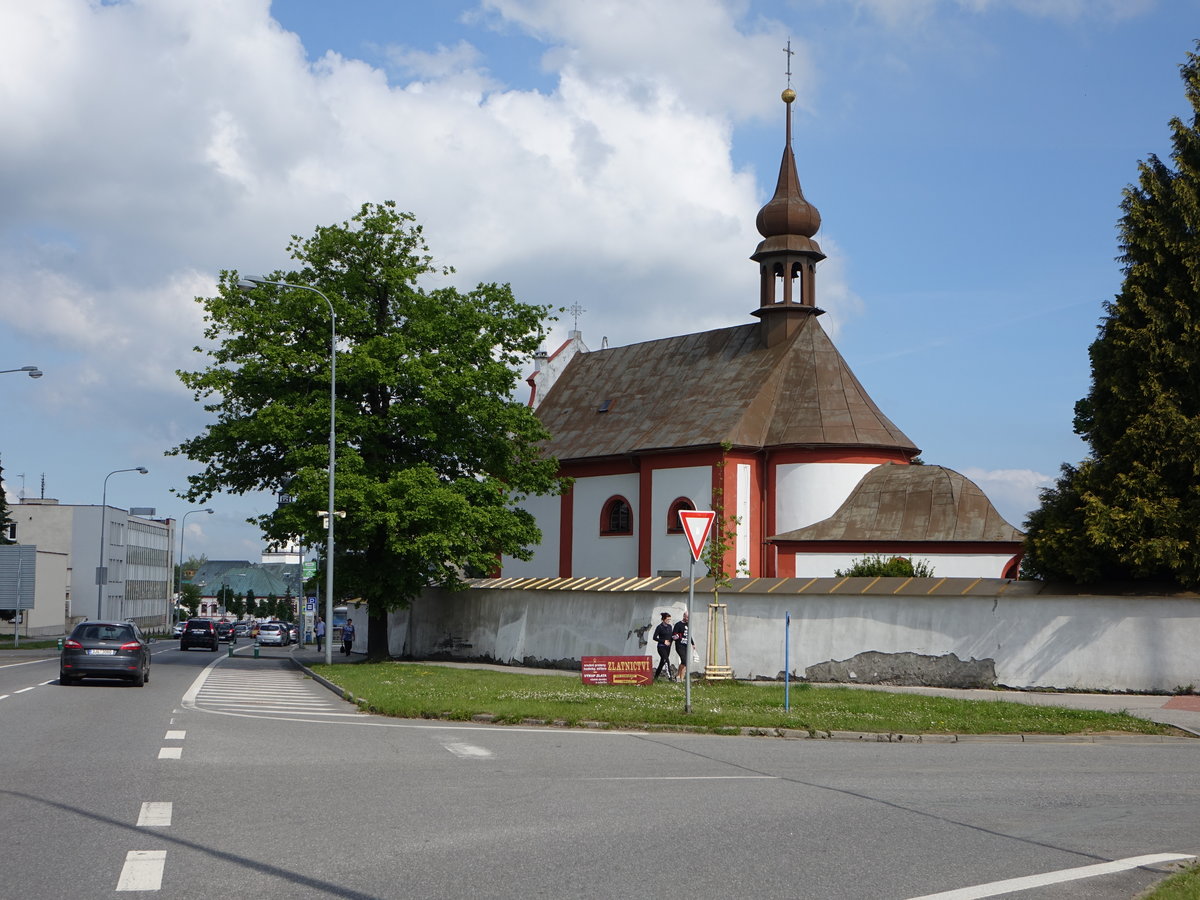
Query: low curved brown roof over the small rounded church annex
{"x": 911, "y": 503}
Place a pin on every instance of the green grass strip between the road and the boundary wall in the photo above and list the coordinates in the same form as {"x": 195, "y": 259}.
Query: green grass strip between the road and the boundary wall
{"x": 413, "y": 691}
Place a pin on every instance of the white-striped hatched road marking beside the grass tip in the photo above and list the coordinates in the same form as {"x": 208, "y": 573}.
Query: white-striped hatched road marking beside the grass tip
{"x": 261, "y": 688}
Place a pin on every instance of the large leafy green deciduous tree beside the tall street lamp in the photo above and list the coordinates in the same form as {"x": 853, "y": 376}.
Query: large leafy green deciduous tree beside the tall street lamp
{"x": 434, "y": 453}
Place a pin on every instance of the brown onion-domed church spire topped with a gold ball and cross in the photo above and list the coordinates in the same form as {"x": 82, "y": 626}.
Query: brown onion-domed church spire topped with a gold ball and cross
{"x": 788, "y": 255}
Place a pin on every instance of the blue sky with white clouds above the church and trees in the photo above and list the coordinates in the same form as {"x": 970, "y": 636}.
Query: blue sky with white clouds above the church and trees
{"x": 968, "y": 159}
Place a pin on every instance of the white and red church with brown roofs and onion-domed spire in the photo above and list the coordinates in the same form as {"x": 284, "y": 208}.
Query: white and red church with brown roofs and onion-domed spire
{"x": 764, "y": 423}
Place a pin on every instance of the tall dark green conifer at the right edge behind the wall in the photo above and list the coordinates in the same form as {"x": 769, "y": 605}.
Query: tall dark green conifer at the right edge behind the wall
{"x": 1132, "y": 508}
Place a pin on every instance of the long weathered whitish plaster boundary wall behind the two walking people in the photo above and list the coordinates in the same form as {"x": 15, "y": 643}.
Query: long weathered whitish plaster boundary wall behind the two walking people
{"x": 1108, "y": 644}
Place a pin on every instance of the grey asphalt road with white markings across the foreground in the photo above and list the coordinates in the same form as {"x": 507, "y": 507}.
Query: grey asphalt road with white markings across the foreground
{"x": 253, "y": 781}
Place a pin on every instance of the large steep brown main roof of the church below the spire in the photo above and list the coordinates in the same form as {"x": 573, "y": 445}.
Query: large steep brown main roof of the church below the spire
{"x": 713, "y": 387}
